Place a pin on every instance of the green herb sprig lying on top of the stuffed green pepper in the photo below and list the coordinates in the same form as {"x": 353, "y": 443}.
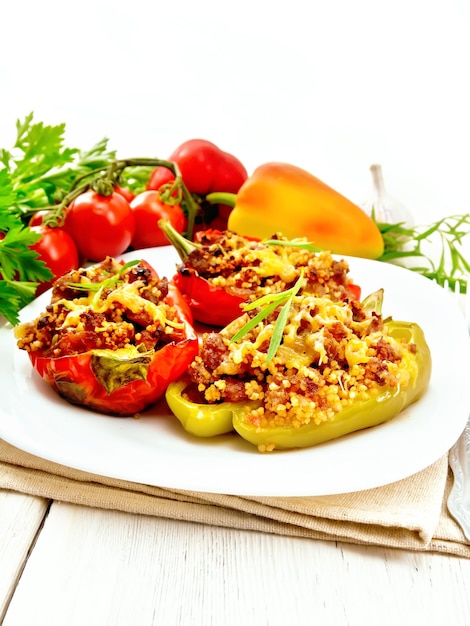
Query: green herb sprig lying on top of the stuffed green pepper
{"x": 270, "y": 302}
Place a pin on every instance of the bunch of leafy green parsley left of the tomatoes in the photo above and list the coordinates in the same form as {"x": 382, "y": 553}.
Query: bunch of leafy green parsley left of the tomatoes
{"x": 36, "y": 172}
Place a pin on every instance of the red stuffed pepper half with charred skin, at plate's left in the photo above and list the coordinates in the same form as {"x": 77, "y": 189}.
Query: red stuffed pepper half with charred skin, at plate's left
{"x": 112, "y": 338}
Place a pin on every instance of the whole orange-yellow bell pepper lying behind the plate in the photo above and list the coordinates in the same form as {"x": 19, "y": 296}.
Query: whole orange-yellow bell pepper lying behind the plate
{"x": 283, "y": 198}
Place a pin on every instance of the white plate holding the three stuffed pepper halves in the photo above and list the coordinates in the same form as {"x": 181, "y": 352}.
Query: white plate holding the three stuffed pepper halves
{"x": 156, "y": 450}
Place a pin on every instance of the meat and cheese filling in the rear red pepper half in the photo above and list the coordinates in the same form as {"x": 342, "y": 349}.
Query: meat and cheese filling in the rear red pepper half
{"x": 252, "y": 268}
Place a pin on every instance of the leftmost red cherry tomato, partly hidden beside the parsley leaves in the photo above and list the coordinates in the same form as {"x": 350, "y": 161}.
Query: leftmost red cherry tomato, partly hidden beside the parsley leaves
{"x": 58, "y": 251}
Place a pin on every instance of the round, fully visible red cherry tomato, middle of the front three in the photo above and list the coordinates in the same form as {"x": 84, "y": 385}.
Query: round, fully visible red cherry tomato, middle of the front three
{"x": 101, "y": 226}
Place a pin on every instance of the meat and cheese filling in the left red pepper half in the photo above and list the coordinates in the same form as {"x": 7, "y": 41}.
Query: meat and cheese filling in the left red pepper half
{"x": 92, "y": 309}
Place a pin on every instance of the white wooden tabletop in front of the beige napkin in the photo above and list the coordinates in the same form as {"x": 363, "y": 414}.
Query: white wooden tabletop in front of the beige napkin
{"x": 67, "y": 565}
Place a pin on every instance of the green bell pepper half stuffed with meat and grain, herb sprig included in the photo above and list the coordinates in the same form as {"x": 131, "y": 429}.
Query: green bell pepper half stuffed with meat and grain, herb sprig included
{"x": 299, "y": 371}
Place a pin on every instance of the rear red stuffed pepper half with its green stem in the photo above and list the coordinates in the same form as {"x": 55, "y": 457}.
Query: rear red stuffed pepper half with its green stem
{"x": 221, "y": 271}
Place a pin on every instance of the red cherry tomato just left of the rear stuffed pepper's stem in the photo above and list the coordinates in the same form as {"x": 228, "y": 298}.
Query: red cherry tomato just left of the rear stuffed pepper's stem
{"x": 148, "y": 209}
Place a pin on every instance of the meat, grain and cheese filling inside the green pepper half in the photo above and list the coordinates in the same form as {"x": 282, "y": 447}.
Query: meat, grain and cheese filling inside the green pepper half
{"x": 331, "y": 355}
